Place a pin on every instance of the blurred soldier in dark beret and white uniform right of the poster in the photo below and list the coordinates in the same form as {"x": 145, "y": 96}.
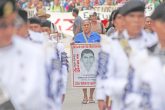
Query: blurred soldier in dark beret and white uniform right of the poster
{"x": 113, "y": 75}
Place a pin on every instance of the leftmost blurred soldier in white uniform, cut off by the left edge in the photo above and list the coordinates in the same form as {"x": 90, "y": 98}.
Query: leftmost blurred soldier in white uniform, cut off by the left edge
{"x": 25, "y": 75}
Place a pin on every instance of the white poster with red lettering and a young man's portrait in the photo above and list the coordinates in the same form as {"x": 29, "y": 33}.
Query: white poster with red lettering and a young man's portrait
{"x": 84, "y": 58}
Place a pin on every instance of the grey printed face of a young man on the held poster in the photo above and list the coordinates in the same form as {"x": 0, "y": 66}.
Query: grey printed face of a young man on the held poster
{"x": 87, "y": 58}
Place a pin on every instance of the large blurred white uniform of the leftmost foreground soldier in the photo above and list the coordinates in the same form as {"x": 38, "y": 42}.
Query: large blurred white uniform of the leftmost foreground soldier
{"x": 23, "y": 74}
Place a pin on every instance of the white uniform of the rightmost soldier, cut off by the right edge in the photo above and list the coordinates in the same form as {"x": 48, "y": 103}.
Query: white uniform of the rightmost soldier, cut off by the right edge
{"x": 148, "y": 84}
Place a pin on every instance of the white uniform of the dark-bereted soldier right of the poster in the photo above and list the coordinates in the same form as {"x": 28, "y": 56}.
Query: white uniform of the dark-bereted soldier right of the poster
{"x": 114, "y": 67}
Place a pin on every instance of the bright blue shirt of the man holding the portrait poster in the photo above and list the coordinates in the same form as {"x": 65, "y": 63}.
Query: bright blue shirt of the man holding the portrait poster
{"x": 93, "y": 38}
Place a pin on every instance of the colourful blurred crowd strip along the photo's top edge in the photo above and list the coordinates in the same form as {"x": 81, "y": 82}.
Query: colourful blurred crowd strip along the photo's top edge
{"x": 68, "y": 5}
